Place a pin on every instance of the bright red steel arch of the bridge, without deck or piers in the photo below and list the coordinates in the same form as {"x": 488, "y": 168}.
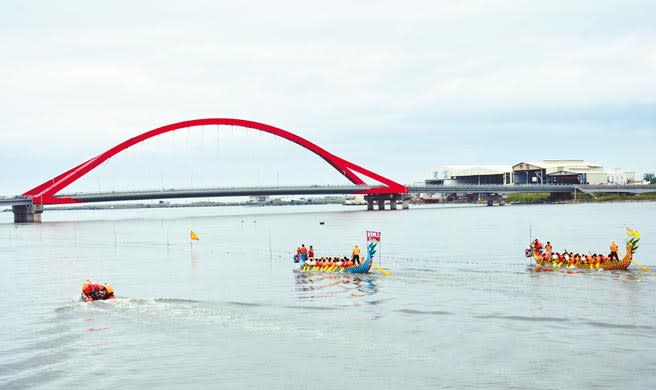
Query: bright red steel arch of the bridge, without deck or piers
{"x": 45, "y": 193}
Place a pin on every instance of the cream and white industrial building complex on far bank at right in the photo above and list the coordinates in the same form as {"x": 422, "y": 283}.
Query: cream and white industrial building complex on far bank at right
{"x": 541, "y": 172}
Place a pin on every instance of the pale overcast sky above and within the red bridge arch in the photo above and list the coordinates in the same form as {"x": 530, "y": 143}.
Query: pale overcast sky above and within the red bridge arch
{"x": 398, "y": 87}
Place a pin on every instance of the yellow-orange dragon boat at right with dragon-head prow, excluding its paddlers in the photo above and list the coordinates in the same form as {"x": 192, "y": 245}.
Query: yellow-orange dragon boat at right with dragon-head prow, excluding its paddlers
{"x": 632, "y": 238}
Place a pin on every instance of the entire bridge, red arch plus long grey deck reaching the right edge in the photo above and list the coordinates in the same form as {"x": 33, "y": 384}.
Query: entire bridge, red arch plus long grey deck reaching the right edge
{"x": 28, "y": 207}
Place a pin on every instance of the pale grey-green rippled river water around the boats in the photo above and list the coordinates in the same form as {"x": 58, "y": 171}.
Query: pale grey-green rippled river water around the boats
{"x": 461, "y": 309}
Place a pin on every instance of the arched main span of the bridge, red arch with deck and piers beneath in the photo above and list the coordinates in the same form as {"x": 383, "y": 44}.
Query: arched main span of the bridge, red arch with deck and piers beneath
{"x": 29, "y": 206}
